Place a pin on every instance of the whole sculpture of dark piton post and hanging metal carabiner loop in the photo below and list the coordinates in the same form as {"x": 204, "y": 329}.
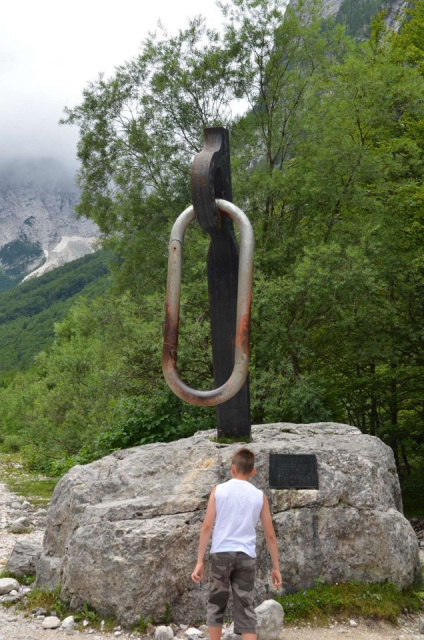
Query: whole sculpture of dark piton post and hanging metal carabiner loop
{"x": 230, "y": 289}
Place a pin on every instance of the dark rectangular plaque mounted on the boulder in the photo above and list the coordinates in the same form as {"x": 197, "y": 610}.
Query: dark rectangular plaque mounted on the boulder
{"x": 293, "y": 471}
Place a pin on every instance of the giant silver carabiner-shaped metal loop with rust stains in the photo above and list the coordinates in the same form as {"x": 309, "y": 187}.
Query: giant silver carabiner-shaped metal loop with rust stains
{"x": 244, "y": 298}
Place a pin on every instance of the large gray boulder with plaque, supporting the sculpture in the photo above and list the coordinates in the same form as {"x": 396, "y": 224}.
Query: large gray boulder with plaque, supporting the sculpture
{"x": 122, "y": 532}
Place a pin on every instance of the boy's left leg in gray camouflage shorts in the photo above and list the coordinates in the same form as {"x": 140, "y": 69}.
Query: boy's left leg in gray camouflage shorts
{"x": 221, "y": 567}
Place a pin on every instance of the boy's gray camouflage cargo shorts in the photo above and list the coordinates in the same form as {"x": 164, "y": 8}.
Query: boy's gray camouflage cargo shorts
{"x": 238, "y": 569}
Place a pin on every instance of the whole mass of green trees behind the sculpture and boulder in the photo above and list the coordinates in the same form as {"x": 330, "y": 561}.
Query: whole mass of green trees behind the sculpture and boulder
{"x": 327, "y": 162}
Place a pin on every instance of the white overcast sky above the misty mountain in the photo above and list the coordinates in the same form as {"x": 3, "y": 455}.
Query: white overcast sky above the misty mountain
{"x": 51, "y": 49}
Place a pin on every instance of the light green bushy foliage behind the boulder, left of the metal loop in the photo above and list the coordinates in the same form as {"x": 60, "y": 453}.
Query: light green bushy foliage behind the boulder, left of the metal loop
{"x": 99, "y": 387}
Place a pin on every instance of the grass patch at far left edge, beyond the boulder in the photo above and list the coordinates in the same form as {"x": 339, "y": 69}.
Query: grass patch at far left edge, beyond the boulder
{"x": 32, "y": 487}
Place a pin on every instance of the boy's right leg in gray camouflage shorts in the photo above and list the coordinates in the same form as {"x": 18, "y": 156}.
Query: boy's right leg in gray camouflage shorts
{"x": 243, "y": 588}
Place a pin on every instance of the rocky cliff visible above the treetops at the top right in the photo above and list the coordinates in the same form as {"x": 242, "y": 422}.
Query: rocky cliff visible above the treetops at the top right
{"x": 357, "y": 14}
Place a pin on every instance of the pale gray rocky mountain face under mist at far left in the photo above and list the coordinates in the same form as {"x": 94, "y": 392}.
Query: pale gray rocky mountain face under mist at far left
{"x": 39, "y": 229}
